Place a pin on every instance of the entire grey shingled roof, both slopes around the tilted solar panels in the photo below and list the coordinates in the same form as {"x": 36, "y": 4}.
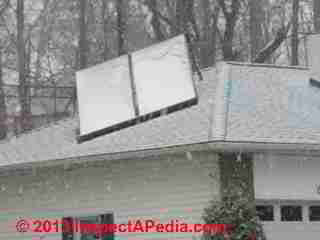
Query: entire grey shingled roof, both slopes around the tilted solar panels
{"x": 237, "y": 103}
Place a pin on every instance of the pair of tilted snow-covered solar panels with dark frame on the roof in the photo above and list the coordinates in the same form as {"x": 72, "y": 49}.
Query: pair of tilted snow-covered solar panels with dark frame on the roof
{"x": 134, "y": 88}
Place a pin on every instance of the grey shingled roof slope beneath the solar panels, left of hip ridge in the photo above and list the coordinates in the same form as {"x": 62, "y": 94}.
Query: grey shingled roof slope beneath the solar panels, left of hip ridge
{"x": 188, "y": 126}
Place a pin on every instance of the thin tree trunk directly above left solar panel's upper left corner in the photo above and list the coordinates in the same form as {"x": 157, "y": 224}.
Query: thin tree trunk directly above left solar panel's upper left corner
{"x": 83, "y": 35}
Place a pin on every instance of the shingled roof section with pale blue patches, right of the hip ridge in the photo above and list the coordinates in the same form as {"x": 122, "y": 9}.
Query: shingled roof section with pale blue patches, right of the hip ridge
{"x": 273, "y": 105}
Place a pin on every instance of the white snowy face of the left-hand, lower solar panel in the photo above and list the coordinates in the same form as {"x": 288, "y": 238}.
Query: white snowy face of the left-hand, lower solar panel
{"x": 104, "y": 95}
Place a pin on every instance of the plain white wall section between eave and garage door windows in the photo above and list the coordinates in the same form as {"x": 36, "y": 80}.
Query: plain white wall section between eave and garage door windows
{"x": 287, "y": 177}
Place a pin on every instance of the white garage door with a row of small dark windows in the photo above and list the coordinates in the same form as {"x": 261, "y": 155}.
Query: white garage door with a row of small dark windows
{"x": 292, "y": 220}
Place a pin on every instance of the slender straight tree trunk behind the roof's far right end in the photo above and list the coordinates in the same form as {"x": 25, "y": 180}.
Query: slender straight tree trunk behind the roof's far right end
{"x": 295, "y": 37}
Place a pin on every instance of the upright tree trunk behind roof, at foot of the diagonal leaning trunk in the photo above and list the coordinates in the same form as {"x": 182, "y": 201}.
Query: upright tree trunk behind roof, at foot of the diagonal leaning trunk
{"x": 256, "y": 13}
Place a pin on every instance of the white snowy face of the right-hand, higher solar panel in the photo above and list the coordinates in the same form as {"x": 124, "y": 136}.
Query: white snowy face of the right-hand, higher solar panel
{"x": 163, "y": 76}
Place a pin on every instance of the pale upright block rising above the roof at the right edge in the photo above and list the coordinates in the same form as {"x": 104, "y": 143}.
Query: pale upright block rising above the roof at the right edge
{"x": 314, "y": 55}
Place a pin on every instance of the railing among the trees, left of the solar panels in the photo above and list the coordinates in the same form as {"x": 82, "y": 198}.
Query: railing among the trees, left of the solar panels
{"x": 46, "y": 104}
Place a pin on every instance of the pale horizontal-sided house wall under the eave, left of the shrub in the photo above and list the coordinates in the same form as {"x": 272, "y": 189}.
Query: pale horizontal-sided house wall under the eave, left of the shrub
{"x": 160, "y": 188}
